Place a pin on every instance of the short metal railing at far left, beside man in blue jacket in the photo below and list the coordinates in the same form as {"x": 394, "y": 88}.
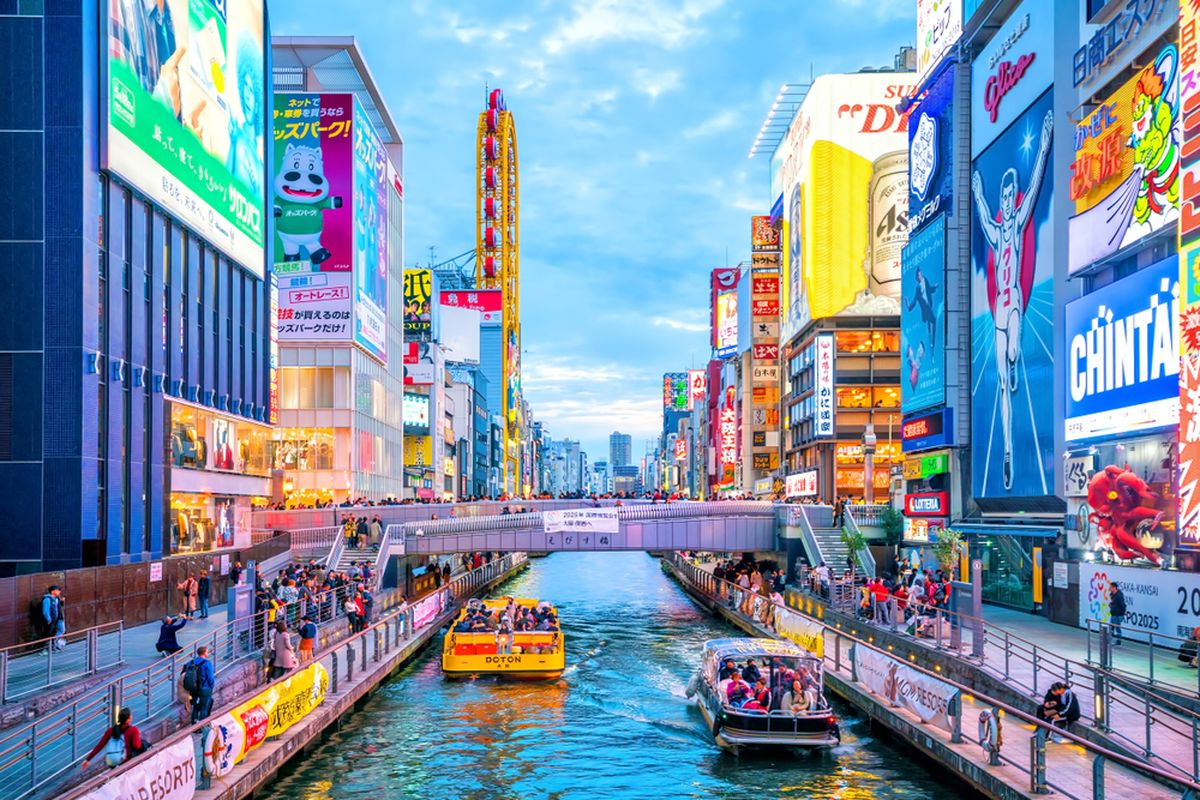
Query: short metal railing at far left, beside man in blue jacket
{"x": 44, "y": 664}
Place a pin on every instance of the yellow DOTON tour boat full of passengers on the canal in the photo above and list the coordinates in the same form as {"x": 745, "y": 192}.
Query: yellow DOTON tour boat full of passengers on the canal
{"x": 479, "y": 643}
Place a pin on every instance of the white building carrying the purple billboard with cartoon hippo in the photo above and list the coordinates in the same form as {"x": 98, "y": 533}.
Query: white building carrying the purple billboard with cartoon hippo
{"x": 341, "y": 430}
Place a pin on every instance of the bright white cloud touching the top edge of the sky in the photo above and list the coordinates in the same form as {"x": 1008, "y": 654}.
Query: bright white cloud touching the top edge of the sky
{"x": 647, "y": 22}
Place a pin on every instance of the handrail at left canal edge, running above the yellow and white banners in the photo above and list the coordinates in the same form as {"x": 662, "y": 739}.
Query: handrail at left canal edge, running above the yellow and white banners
{"x": 404, "y": 629}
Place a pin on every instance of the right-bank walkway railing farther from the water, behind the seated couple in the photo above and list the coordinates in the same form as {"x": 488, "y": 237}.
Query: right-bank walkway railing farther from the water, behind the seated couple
{"x": 997, "y": 651}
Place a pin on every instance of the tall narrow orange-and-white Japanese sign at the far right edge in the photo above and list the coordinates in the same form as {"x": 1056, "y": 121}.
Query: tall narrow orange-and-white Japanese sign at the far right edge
{"x": 1190, "y": 276}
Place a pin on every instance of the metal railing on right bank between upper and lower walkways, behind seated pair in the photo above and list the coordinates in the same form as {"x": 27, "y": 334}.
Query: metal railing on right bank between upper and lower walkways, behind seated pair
{"x": 1120, "y": 707}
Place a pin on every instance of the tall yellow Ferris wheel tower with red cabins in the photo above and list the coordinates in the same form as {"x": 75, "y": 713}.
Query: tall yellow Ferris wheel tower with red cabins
{"x": 497, "y": 267}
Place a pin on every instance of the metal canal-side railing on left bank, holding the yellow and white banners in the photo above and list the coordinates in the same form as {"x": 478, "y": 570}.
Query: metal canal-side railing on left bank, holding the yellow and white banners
{"x": 358, "y": 653}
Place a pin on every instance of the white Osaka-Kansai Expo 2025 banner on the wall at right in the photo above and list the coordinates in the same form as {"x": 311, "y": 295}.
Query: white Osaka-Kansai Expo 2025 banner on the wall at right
{"x": 1162, "y": 601}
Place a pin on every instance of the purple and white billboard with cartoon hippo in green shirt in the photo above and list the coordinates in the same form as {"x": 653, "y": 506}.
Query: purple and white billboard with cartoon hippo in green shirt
{"x": 313, "y": 196}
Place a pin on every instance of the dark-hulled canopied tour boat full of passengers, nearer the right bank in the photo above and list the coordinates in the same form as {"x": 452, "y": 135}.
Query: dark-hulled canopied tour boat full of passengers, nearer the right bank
{"x": 797, "y": 714}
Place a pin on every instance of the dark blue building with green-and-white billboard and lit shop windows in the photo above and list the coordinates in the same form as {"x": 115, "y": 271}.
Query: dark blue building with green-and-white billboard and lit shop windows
{"x": 135, "y": 352}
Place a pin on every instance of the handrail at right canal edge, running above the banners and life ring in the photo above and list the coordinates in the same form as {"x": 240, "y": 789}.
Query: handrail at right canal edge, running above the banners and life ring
{"x": 1185, "y": 785}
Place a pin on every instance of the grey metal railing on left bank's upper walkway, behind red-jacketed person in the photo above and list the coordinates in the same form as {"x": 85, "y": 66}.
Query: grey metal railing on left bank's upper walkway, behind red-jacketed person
{"x": 39, "y": 751}
